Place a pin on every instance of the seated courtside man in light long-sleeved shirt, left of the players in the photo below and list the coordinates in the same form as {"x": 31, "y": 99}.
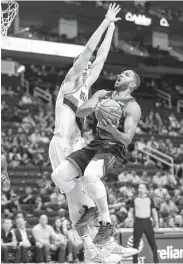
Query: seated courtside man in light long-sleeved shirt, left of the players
{"x": 43, "y": 235}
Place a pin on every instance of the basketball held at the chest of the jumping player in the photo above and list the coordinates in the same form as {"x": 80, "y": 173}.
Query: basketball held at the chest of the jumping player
{"x": 108, "y": 108}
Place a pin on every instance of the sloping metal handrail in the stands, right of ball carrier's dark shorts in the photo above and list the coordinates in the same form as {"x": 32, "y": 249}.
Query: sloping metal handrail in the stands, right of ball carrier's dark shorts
{"x": 158, "y": 155}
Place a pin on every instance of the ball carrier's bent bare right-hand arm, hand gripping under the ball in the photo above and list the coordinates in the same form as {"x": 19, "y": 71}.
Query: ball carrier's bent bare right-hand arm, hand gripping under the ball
{"x": 133, "y": 115}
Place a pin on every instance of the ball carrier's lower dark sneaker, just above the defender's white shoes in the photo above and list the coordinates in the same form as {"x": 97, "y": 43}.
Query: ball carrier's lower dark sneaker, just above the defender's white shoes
{"x": 105, "y": 232}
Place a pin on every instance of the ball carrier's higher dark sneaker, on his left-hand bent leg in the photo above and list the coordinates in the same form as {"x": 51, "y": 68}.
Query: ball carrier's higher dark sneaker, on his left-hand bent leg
{"x": 88, "y": 216}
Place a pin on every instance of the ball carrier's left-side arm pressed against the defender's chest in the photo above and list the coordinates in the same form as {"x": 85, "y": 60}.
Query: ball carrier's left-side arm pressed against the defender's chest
{"x": 89, "y": 106}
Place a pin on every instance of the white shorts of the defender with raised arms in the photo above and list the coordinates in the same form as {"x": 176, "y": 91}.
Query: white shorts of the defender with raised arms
{"x": 61, "y": 147}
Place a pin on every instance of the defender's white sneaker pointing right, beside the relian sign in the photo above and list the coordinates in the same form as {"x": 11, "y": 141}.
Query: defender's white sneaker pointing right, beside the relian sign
{"x": 112, "y": 247}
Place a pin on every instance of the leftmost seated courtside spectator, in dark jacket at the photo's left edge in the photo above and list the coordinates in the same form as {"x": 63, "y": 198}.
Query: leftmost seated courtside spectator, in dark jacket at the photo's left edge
{"x": 8, "y": 241}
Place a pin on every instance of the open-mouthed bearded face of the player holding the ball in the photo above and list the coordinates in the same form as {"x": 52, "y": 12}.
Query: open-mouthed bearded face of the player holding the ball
{"x": 124, "y": 80}
